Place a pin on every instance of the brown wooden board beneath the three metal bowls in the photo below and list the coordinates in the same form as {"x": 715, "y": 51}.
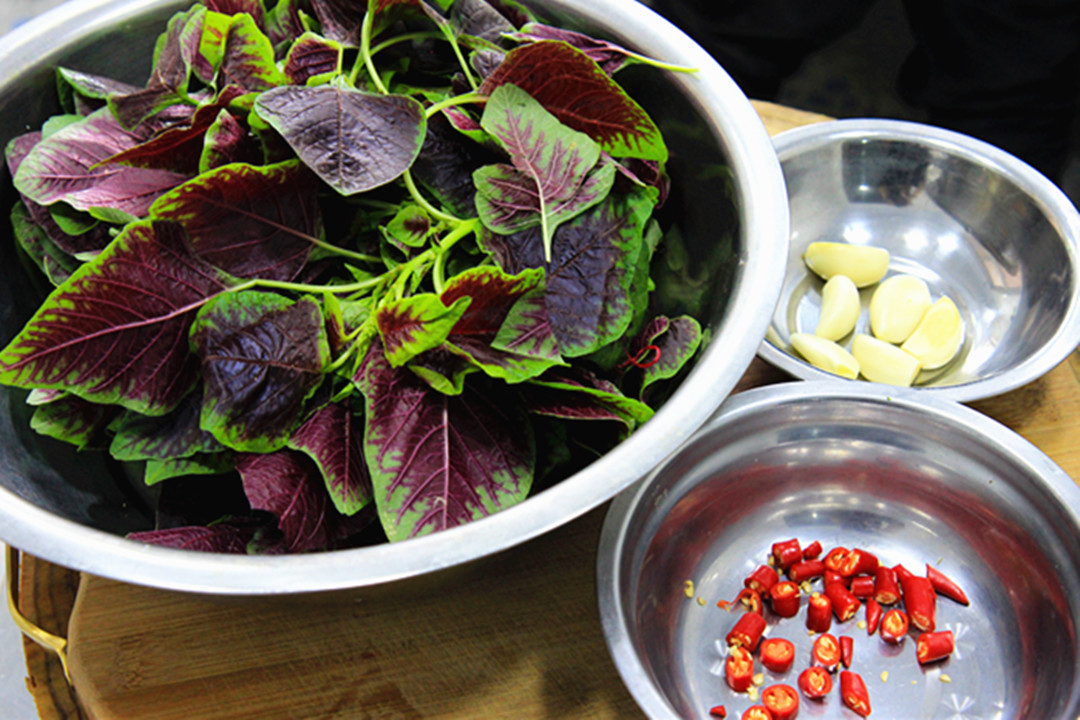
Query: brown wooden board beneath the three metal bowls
{"x": 521, "y": 640}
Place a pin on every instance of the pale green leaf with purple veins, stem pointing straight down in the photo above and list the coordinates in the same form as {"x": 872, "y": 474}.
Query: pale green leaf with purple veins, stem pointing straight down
{"x": 552, "y": 179}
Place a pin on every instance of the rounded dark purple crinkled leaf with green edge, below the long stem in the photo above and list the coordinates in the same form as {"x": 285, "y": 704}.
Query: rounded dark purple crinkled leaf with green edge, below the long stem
{"x": 263, "y": 357}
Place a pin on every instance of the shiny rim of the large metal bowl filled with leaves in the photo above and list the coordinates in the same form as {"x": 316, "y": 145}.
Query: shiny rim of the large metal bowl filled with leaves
{"x": 763, "y": 198}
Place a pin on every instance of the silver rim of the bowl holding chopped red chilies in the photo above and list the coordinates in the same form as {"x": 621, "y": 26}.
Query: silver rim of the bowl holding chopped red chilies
{"x": 627, "y": 506}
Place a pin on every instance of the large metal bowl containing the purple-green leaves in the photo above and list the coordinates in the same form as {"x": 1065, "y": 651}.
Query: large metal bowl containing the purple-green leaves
{"x": 728, "y": 201}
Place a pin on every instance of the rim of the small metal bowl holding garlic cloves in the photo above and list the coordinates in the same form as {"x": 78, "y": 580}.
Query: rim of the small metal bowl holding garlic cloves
{"x": 1051, "y": 200}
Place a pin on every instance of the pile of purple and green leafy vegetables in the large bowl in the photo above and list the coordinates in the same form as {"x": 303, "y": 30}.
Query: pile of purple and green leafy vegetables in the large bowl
{"x": 337, "y": 263}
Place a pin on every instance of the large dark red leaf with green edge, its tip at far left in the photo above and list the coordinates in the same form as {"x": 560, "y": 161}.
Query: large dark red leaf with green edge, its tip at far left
{"x": 117, "y": 332}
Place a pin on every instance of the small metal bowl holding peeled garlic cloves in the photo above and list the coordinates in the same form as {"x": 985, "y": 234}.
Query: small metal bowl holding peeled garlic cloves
{"x": 974, "y": 222}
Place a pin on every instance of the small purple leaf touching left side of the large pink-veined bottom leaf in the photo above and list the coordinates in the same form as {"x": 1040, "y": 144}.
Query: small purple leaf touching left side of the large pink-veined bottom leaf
{"x": 334, "y": 439}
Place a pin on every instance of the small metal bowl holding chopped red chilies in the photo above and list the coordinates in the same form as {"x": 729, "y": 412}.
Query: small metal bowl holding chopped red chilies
{"x": 912, "y": 479}
